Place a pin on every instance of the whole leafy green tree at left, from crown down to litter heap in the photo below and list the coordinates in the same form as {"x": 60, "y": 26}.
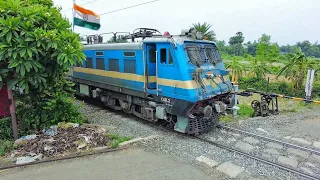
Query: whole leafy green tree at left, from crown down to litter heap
{"x": 37, "y": 49}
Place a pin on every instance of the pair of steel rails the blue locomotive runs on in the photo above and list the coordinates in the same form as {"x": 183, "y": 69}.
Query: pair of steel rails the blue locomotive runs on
{"x": 240, "y": 152}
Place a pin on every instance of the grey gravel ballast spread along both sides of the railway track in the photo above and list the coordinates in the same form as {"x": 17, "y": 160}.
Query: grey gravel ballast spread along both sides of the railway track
{"x": 179, "y": 146}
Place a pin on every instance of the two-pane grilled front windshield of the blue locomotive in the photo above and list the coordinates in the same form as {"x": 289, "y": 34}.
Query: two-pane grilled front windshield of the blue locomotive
{"x": 200, "y": 54}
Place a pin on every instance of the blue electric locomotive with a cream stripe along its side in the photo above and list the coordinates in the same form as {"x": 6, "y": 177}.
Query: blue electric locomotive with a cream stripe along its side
{"x": 180, "y": 80}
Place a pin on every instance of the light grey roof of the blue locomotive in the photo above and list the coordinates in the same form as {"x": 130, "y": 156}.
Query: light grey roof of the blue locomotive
{"x": 138, "y": 45}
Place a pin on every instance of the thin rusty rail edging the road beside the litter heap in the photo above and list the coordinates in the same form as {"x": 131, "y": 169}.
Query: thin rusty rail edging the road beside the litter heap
{"x": 63, "y": 158}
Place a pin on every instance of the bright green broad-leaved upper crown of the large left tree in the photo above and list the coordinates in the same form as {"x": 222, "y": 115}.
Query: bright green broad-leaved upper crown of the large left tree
{"x": 35, "y": 45}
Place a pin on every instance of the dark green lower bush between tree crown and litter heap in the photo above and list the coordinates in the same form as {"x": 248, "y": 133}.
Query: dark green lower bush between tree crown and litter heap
{"x": 48, "y": 110}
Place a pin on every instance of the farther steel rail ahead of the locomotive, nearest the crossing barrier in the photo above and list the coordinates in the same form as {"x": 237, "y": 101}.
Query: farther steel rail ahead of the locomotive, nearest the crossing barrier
{"x": 270, "y": 139}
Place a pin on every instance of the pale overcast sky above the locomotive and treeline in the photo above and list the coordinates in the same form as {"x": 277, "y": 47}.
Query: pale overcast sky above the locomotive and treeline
{"x": 287, "y": 21}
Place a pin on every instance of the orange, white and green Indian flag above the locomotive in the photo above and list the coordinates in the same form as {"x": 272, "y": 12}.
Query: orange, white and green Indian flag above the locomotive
{"x": 86, "y": 18}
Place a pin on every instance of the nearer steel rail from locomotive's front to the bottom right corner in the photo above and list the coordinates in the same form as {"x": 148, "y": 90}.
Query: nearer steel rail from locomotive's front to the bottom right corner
{"x": 258, "y": 159}
